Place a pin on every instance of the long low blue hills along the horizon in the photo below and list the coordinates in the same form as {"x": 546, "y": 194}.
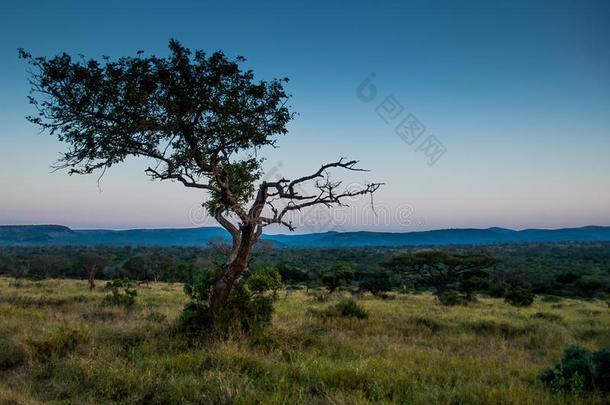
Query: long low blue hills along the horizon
{"x": 56, "y": 235}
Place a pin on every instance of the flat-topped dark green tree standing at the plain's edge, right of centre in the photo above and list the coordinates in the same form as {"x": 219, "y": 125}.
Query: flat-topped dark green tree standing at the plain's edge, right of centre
{"x": 442, "y": 271}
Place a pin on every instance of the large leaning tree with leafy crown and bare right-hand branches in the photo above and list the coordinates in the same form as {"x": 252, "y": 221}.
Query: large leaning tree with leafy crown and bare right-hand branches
{"x": 201, "y": 120}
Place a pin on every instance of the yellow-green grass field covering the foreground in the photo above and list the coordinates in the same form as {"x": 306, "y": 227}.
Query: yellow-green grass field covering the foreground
{"x": 60, "y": 345}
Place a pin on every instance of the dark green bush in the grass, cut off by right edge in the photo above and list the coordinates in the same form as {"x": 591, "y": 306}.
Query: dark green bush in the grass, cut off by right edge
{"x": 579, "y": 371}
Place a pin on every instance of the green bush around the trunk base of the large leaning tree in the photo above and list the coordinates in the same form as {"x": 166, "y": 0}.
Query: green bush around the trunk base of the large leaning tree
{"x": 248, "y": 308}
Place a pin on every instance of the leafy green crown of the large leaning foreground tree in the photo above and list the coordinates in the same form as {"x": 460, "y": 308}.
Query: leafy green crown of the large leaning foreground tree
{"x": 200, "y": 117}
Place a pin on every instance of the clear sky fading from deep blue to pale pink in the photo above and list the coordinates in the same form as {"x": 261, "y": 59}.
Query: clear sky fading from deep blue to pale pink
{"x": 517, "y": 92}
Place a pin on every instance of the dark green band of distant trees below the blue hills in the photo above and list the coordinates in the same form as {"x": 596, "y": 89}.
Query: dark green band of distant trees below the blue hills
{"x": 454, "y": 274}
